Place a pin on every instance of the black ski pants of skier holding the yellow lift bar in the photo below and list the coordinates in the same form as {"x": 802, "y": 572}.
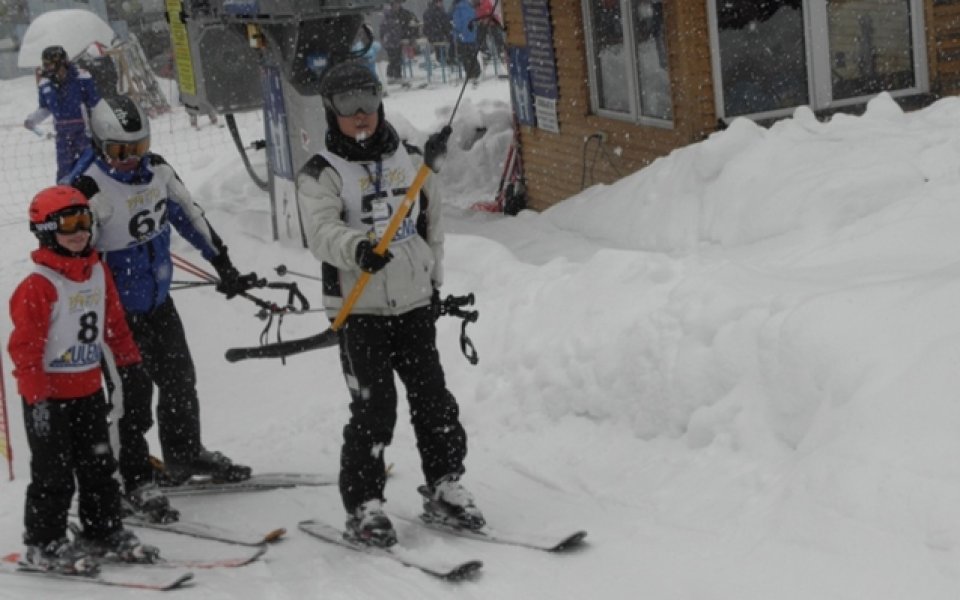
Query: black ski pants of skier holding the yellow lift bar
{"x": 372, "y": 348}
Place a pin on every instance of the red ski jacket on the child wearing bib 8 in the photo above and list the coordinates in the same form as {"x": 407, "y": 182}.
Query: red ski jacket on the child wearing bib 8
{"x": 30, "y": 309}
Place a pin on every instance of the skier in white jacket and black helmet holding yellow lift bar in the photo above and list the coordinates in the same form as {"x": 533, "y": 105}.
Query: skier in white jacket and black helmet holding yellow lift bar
{"x": 348, "y": 193}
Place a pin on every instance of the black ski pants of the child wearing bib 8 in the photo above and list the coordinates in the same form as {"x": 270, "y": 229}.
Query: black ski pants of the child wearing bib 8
{"x": 69, "y": 439}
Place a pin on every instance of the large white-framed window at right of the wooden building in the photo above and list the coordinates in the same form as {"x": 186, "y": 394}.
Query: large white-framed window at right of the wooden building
{"x": 770, "y": 57}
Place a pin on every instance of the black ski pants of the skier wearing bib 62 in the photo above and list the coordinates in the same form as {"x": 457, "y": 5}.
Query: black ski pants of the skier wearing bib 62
{"x": 163, "y": 345}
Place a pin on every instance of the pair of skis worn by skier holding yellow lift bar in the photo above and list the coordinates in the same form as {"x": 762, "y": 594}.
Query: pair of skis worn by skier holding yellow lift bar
{"x": 451, "y": 571}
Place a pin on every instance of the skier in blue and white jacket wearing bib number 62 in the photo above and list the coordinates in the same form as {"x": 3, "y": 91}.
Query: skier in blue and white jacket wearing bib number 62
{"x": 137, "y": 200}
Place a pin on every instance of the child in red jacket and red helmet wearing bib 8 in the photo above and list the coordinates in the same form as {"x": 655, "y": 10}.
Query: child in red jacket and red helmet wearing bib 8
{"x": 63, "y": 313}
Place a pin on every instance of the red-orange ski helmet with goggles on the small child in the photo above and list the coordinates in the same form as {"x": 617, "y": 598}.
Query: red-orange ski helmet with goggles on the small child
{"x": 62, "y": 209}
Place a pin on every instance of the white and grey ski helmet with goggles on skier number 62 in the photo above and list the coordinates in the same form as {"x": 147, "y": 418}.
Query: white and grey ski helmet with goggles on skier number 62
{"x": 121, "y": 130}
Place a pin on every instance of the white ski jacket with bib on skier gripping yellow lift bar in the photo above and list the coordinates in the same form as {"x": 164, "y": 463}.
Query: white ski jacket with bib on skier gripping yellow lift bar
{"x": 343, "y": 203}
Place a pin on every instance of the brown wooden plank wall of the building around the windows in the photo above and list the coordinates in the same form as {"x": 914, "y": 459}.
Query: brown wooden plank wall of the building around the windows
{"x": 555, "y": 165}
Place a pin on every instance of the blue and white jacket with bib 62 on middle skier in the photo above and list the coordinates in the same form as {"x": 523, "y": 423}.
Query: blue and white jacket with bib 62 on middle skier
{"x": 133, "y": 214}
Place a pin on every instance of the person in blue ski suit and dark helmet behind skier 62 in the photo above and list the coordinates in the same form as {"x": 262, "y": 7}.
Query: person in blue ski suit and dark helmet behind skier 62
{"x": 64, "y": 90}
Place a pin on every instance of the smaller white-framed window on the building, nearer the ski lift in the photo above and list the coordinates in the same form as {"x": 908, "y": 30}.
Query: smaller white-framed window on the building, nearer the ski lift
{"x": 627, "y": 59}
